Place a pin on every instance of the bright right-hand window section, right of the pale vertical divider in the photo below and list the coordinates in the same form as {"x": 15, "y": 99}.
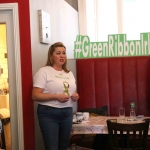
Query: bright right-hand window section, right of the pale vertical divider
{"x": 136, "y": 18}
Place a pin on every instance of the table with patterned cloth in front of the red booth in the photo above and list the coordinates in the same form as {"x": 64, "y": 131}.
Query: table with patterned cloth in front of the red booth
{"x": 98, "y": 125}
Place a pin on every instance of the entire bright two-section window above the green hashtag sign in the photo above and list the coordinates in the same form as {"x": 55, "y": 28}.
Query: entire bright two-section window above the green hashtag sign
{"x": 103, "y": 17}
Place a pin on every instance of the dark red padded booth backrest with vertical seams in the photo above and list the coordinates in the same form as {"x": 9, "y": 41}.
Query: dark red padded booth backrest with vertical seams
{"x": 114, "y": 82}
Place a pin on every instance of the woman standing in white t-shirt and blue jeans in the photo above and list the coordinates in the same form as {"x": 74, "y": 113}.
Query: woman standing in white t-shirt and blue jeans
{"x": 54, "y": 89}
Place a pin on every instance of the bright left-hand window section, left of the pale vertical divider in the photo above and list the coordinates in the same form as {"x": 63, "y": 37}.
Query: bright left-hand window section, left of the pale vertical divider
{"x": 101, "y": 19}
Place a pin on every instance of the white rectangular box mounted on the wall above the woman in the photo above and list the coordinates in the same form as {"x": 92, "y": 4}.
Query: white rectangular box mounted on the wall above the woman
{"x": 44, "y": 27}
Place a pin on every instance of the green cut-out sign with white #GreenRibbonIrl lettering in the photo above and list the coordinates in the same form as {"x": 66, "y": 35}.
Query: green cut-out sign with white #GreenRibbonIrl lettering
{"x": 117, "y": 45}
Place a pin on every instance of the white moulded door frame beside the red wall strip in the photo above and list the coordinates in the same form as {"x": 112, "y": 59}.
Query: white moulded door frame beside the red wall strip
{"x": 19, "y": 118}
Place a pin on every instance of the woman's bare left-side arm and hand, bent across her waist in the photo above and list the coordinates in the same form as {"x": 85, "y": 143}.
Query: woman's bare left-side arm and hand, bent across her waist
{"x": 38, "y": 95}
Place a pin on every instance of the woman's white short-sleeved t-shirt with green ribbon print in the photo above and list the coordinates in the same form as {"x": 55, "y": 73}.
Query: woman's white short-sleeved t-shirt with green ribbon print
{"x": 55, "y": 82}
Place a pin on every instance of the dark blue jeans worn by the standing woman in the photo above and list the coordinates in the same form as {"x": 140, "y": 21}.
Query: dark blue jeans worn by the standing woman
{"x": 55, "y": 125}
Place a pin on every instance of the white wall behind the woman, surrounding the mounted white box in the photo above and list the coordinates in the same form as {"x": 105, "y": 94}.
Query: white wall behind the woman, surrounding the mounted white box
{"x": 64, "y": 28}
